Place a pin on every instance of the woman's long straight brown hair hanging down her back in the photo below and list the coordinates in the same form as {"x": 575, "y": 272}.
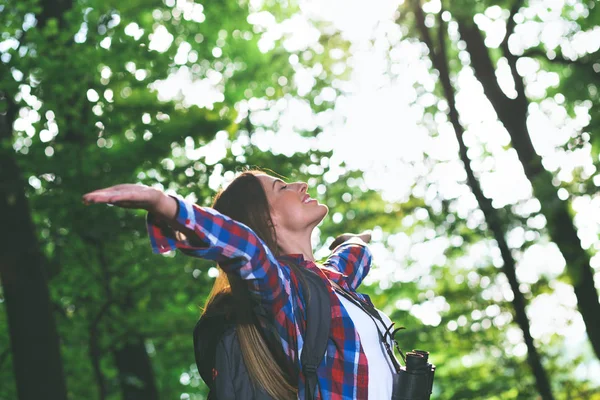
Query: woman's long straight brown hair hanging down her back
{"x": 245, "y": 201}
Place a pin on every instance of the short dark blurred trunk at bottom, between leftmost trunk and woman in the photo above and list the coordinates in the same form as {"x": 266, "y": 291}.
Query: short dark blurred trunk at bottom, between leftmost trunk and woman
{"x": 135, "y": 371}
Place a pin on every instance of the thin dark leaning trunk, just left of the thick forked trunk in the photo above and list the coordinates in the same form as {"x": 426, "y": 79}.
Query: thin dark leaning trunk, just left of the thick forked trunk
{"x": 438, "y": 57}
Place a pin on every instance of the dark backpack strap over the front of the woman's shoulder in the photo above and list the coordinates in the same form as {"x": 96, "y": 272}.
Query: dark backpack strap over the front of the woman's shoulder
{"x": 318, "y": 321}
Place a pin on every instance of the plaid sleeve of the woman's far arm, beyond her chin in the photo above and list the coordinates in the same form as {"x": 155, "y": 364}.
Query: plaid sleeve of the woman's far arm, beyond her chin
{"x": 353, "y": 259}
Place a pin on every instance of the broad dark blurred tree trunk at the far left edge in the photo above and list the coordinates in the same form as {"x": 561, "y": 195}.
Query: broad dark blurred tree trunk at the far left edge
{"x": 34, "y": 339}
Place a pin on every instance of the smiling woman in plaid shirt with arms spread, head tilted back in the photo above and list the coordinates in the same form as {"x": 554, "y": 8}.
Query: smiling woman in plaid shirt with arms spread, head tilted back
{"x": 259, "y": 232}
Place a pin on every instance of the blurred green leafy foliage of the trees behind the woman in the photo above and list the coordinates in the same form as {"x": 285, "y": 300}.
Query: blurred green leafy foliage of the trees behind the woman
{"x": 81, "y": 74}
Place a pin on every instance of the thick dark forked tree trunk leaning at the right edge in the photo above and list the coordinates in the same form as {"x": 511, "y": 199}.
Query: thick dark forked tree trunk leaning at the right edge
{"x": 513, "y": 115}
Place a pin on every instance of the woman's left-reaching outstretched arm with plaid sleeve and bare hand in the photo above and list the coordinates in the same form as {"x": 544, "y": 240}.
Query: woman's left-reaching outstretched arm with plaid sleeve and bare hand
{"x": 207, "y": 234}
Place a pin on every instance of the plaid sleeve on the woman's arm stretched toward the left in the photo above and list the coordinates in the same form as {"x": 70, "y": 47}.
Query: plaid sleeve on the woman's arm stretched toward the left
{"x": 233, "y": 245}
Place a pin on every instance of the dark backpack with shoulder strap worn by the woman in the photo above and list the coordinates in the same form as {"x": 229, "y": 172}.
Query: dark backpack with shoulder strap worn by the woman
{"x": 217, "y": 349}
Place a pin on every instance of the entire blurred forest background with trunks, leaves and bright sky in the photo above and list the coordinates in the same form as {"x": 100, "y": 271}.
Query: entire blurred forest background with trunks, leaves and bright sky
{"x": 464, "y": 134}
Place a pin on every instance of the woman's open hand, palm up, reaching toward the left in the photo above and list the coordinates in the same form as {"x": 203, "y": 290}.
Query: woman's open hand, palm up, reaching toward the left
{"x": 127, "y": 196}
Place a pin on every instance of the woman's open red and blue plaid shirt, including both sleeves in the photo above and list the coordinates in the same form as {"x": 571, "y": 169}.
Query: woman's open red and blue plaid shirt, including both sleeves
{"x": 343, "y": 372}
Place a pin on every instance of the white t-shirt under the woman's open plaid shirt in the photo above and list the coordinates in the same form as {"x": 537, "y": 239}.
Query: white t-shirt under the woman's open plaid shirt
{"x": 381, "y": 368}
